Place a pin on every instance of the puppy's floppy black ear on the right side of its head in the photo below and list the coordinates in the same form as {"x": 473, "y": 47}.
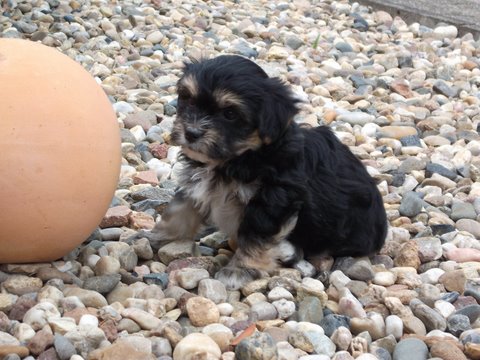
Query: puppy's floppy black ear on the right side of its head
{"x": 279, "y": 106}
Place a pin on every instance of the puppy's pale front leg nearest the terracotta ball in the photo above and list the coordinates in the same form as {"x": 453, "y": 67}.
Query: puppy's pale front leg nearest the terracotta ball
{"x": 180, "y": 221}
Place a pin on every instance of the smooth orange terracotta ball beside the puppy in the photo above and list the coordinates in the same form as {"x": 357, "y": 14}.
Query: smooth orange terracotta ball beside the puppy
{"x": 60, "y": 153}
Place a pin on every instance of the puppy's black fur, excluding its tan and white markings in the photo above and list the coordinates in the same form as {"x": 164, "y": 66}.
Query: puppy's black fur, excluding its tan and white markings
{"x": 304, "y": 171}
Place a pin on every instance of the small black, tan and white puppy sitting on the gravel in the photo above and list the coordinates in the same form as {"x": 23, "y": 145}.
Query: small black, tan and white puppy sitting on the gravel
{"x": 277, "y": 189}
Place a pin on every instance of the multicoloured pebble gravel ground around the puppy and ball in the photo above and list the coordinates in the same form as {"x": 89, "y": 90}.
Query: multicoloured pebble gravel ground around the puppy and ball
{"x": 404, "y": 98}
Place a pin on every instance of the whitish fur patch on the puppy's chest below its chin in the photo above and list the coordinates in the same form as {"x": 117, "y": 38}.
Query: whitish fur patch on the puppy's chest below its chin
{"x": 221, "y": 203}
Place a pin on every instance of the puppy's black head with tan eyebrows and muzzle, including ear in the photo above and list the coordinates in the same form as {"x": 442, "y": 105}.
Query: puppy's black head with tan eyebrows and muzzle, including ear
{"x": 228, "y": 105}
